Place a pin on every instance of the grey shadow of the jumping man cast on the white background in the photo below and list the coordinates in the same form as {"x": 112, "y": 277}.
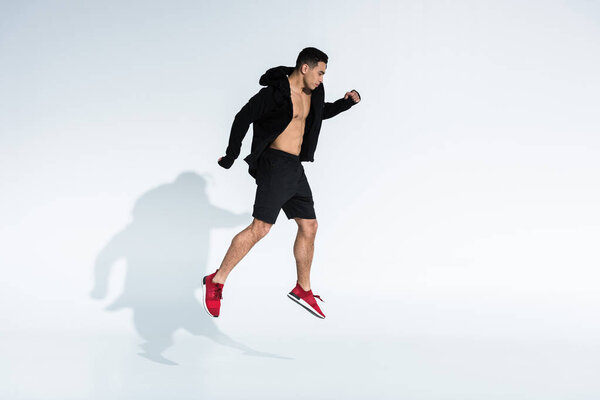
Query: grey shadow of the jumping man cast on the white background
{"x": 166, "y": 248}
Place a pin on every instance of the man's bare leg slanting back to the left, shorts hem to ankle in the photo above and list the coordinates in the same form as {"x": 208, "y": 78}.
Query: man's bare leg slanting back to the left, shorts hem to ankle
{"x": 240, "y": 246}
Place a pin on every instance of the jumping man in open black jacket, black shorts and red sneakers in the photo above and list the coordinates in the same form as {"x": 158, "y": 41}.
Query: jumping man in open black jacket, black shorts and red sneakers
{"x": 286, "y": 116}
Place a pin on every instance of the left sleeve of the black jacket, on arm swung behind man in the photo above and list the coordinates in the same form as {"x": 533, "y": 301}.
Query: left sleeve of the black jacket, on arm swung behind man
{"x": 252, "y": 111}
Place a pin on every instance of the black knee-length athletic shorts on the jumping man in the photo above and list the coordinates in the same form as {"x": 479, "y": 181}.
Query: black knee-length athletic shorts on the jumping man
{"x": 281, "y": 183}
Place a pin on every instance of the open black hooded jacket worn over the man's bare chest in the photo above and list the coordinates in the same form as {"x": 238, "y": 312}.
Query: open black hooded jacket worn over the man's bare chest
{"x": 270, "y": 111}
